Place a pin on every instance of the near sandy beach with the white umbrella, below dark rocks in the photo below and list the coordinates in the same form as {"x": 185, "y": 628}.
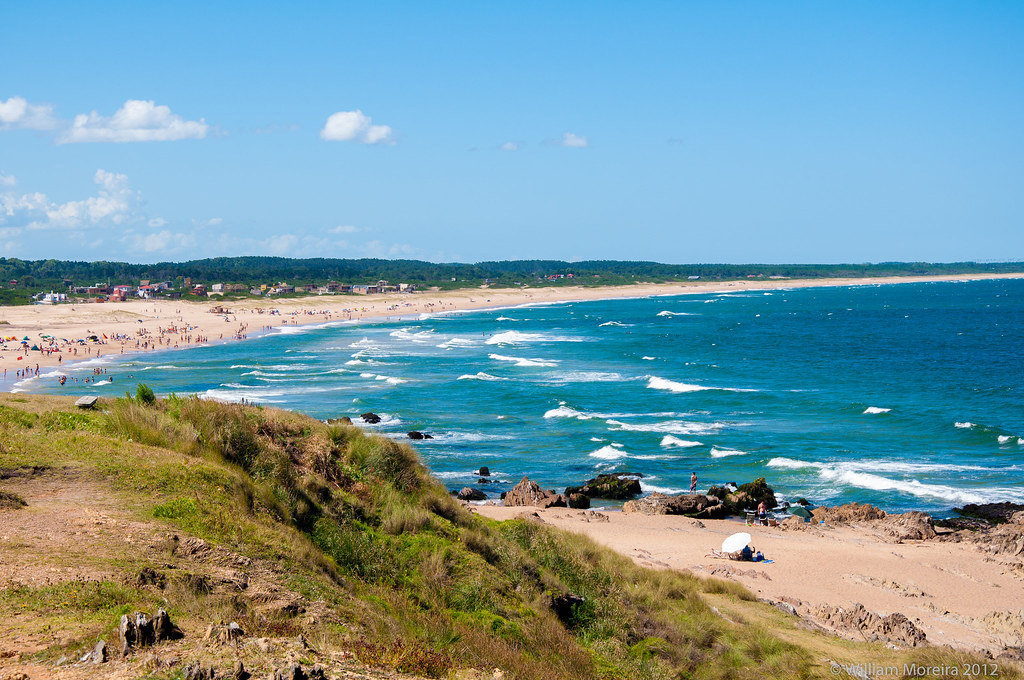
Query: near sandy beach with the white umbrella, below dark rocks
{"x": 956, "y": 593}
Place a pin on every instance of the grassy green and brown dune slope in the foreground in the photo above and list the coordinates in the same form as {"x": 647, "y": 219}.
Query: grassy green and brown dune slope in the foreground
{"x": 347, "y": 540}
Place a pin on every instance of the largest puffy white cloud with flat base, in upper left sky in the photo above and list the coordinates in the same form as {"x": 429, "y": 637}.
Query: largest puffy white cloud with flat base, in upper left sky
{"x": 136, "y": 121}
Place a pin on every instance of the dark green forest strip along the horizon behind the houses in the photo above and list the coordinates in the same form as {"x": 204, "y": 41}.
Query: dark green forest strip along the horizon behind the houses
{"x": 36, "y": 276}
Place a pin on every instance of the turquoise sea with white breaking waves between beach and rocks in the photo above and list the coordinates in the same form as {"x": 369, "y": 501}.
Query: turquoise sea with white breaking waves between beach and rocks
{"x": 907, "y": 397}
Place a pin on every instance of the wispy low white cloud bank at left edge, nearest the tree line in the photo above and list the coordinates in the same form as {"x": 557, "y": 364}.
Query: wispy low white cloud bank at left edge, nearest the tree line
{"x": 115, "y": 204}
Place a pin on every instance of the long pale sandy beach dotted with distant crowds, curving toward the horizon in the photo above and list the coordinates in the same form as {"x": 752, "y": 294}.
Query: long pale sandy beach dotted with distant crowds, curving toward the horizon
{"x": 144, "y": 326}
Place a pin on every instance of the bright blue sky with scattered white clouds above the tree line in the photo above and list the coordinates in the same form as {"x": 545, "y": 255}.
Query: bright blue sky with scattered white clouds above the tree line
{"x": 670, "y": 132}
